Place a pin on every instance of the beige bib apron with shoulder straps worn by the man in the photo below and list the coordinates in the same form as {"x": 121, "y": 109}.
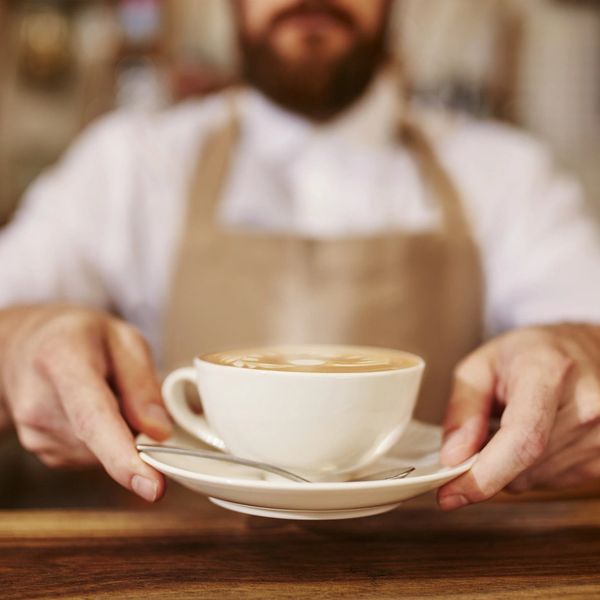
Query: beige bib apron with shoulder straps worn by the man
{"x": 420, "y": 292}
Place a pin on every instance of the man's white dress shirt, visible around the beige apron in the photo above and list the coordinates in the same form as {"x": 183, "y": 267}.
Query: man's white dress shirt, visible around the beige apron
{"x": 101, "y": 227}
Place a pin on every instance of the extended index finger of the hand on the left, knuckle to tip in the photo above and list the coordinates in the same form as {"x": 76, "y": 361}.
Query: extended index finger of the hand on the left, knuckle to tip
{"x": 95, "y": 418}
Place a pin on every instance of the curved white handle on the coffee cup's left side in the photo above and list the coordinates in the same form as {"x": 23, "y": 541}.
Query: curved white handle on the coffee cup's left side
{"x": 173, "y": 391}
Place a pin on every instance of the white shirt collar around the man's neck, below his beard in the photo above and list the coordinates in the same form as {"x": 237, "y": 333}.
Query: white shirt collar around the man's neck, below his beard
{"x": 278, "y": 134}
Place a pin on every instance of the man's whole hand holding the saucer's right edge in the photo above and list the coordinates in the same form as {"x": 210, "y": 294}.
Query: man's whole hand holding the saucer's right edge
{"x": 545, "y": 383}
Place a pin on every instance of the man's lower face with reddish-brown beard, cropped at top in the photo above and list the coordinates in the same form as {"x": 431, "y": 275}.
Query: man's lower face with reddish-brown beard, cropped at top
{"x": 312, "y": 56}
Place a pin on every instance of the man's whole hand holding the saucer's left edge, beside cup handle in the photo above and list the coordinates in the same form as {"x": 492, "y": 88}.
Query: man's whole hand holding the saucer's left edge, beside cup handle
{"x": 70, "y": 379}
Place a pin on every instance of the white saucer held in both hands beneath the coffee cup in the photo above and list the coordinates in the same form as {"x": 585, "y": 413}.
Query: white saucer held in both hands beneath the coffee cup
{"x": 246, "y": 490}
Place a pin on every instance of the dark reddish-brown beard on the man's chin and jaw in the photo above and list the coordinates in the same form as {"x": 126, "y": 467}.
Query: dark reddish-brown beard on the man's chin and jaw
{"x": 315, "y": 88}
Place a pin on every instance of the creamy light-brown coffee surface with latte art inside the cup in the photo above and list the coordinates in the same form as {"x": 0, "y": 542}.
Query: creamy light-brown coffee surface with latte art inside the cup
{"x": 313, "y": 360}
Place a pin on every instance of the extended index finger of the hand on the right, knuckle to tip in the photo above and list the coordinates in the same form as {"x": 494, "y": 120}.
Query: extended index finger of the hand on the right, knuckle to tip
{"x": 533, "y": 392}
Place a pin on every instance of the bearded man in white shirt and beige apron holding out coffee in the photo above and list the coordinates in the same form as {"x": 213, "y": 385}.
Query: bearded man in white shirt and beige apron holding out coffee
{"x": 318, "y": 210}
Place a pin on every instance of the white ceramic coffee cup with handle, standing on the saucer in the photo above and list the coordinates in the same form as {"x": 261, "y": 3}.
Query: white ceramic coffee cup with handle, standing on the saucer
{"x": 322, "y": 425}
